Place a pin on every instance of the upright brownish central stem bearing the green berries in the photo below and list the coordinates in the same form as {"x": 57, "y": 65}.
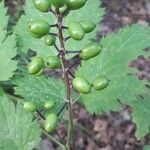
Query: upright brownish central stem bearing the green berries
{"x": 70, "y": 137}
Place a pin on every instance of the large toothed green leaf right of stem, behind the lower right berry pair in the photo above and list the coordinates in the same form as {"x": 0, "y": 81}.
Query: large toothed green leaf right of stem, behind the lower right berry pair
{"x": 118, "y": 50}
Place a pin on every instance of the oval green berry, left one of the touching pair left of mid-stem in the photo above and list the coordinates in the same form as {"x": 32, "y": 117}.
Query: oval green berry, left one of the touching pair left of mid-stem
{"x": 36, "y": 65}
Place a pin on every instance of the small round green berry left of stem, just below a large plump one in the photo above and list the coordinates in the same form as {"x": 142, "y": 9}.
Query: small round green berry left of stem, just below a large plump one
{"x": 49, "y": 40}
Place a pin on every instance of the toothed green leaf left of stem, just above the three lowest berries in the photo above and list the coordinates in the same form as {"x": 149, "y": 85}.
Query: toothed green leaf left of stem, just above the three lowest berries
{"x": 40, "y": 90}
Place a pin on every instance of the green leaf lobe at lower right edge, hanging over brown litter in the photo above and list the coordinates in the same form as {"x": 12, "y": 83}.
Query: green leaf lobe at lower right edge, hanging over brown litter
{"x": 141, "y": 117}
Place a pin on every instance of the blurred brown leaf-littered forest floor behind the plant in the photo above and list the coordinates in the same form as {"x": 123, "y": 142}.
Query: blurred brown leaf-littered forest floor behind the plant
{"x": 114, "y": 130}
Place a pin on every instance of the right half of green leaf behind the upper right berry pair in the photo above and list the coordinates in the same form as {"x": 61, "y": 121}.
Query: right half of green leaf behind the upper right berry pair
{"x": 91, "y": 11}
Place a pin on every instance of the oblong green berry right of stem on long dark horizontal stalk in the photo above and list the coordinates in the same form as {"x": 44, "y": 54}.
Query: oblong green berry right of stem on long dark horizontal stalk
{"x": 91, "y": 50}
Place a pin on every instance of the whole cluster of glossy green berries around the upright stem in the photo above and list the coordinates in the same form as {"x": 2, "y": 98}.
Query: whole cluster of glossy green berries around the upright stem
{"x": 76, "y": 30}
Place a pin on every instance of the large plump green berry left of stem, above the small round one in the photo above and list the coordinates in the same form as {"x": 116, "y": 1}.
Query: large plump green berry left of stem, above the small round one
{"x": 38, "y": 27}
